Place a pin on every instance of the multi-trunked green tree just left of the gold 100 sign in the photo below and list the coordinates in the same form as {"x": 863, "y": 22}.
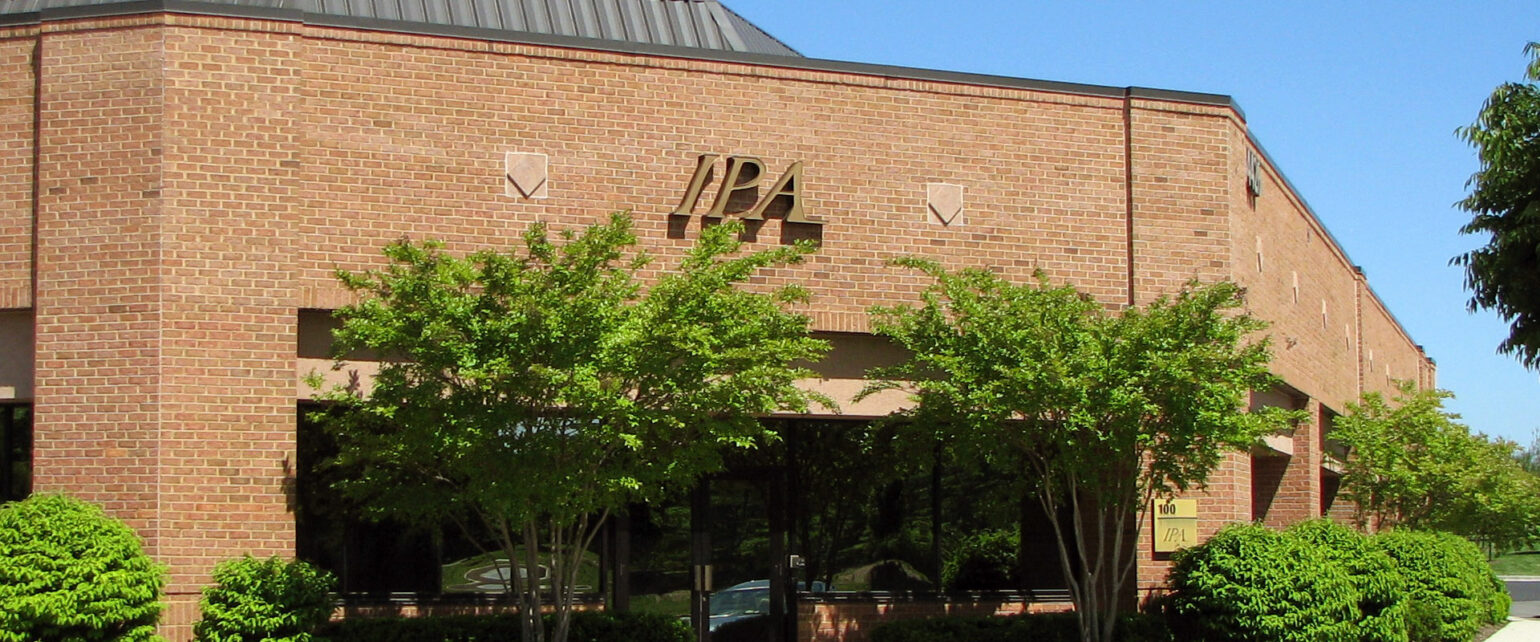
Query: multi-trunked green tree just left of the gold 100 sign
{"x": 1103, "y": 413}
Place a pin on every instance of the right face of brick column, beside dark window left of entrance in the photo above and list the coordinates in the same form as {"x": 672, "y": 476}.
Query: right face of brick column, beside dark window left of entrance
{"x": 230, "y": 224}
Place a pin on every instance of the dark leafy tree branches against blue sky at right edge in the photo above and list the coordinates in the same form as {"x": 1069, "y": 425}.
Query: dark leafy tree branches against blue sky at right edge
{"x": 1505, "y": 201}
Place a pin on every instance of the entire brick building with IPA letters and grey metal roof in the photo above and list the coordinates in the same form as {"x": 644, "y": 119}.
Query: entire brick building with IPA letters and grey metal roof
{"x": 181, "y": 179}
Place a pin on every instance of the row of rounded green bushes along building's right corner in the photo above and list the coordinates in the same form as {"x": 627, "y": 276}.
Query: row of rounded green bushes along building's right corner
{"x": 1325, "y": 583}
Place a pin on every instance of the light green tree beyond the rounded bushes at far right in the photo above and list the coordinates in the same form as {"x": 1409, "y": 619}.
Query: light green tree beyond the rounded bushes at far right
{"x": 1413, "y": 466}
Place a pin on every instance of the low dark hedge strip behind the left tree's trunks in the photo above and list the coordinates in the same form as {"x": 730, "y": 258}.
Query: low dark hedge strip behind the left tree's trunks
{"x": 586, "y": 627}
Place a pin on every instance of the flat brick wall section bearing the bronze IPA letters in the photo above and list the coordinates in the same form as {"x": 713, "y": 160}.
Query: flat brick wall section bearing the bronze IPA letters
{"x": 410, "y": 142}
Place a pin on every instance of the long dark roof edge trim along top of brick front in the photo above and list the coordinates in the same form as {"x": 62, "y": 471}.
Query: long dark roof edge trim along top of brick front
{"x": 246, "y": 12}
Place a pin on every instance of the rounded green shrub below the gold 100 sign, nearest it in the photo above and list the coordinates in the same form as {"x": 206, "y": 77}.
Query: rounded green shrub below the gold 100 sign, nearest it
{"x": 1254, "y": 584}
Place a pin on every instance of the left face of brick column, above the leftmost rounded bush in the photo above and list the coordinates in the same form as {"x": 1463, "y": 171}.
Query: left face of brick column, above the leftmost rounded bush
{"x": 99, "y": 284}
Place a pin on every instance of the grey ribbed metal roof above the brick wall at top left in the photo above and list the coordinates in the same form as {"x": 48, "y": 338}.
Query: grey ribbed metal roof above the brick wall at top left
{"x": 686, "y": 24}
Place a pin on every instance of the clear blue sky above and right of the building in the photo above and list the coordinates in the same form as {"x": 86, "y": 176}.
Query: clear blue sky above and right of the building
{"x": 1358, "y": 102}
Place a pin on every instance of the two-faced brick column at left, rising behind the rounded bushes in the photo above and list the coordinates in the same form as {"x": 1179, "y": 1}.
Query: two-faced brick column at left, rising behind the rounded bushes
{"x": 166, "y": 304}
